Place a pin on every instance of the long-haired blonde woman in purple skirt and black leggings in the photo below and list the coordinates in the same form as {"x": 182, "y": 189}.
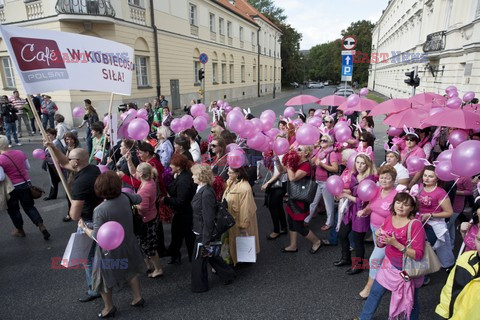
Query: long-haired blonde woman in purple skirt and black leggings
{"x": 364, "y": 169}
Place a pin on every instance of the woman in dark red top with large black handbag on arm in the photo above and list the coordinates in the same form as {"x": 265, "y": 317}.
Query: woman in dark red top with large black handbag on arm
{"x": 298, "y": 210}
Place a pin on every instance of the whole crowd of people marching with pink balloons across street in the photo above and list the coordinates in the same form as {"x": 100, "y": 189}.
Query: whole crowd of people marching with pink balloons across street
{"x": 178, "y": 179}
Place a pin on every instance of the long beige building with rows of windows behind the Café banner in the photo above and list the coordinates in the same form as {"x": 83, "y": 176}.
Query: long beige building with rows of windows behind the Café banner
{"x": 168, "y": 36}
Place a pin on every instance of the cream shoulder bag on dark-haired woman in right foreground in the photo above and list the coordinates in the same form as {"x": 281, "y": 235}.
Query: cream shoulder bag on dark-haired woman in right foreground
{"x": 429, "y": 263}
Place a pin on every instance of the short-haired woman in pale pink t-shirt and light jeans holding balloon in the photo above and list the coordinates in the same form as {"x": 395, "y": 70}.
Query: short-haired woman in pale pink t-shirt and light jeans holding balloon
{"x": 379, "y": 210}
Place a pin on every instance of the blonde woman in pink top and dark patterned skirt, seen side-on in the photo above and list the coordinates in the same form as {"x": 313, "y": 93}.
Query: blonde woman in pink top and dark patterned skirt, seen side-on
{"x": 147, "y": 209}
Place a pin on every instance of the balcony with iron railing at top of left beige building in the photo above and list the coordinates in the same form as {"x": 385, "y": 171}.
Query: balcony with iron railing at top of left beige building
{"x": 77, "y": 9}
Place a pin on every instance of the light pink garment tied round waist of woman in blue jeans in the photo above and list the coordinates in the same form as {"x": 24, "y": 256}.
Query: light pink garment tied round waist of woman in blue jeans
{"x": 401, "y": 302}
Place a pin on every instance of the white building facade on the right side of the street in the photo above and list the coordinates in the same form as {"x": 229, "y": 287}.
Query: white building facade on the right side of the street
{"x": 440, "y": 37}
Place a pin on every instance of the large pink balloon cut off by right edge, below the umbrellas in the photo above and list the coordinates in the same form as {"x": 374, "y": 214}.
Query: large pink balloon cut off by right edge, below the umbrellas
{"x": 465, "y": 159}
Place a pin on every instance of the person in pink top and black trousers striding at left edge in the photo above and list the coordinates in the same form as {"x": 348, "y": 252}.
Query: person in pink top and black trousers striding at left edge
{"x": 15, "y": 165}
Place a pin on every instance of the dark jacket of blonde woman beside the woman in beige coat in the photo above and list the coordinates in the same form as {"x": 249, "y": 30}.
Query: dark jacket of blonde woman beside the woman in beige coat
{"x": 204, "y": 211}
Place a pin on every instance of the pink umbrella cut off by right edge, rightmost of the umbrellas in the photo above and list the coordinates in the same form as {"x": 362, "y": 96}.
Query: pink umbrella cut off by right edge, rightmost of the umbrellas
{"x": 455, "y": 118}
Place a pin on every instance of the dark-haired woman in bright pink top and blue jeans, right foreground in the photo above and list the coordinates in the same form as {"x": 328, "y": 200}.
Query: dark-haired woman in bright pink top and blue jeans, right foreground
{"x": 393, "y": 235}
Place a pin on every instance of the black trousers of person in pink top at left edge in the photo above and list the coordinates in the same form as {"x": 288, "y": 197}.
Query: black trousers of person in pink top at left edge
{"x": 21, "y": 195}
